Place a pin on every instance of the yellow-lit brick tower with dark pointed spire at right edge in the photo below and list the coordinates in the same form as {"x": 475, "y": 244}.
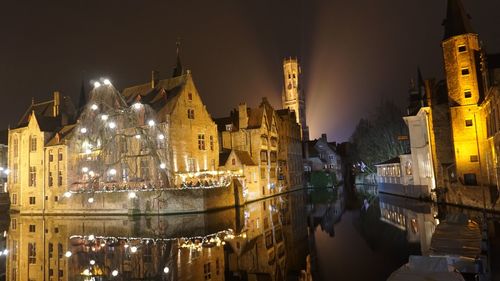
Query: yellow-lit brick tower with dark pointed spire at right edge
{"x": 462, "y": 61}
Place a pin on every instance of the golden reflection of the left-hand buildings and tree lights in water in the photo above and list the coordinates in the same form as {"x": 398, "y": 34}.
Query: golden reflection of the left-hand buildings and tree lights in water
{"x": 265, "y": 240}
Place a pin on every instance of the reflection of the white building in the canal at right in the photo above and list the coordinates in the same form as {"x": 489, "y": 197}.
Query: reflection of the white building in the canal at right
{"x": 416, "y": 218}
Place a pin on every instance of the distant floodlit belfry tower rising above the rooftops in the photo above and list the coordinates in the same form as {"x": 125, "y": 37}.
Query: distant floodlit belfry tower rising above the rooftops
{"x": 292, "y": 97}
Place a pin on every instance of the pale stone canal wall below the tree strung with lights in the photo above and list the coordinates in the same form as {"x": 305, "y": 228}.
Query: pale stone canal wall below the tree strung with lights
{"x": 166, "y": 201}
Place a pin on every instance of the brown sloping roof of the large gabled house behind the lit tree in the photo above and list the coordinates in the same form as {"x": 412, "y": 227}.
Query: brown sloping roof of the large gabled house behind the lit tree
{"x": 162, "y": 97}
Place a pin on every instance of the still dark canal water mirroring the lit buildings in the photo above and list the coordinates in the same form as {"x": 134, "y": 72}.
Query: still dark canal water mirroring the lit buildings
{"x": 324, "y": 233}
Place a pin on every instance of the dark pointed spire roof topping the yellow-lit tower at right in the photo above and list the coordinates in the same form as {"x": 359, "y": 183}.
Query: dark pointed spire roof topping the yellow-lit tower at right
{"x": 457, "y": 21}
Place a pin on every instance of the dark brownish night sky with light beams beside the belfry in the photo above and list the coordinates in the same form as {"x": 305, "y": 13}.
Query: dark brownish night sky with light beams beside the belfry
{"x": 353, "y": 53}
